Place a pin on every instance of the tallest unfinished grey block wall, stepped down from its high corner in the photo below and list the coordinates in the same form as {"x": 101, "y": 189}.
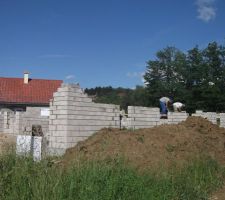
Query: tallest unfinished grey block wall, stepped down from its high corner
{"x": 74, "y": 117}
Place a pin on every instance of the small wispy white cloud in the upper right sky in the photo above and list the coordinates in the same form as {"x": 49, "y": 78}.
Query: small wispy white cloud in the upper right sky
{"x": 206, "y": 10}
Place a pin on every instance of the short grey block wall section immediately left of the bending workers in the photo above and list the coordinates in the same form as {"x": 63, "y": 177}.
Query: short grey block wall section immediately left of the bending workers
{"x": 143, "y": 117}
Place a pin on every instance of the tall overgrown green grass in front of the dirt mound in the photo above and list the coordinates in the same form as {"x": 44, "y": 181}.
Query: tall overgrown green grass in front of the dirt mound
{"x": 21, "y": 178}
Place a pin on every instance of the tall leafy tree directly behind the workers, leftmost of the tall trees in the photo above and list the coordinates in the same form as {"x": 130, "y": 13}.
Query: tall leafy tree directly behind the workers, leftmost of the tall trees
{"x": 165, "y": 76}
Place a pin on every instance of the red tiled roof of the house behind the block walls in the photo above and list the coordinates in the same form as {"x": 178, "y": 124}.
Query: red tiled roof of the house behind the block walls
{"x": 37, "y": 91}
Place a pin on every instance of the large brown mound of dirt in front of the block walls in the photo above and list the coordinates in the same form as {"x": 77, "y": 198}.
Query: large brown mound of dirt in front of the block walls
{"x": 162, "y": 145}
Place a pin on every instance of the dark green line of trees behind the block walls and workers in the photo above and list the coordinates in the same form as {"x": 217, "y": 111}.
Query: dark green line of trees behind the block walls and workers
{"x": 195, "y": 77}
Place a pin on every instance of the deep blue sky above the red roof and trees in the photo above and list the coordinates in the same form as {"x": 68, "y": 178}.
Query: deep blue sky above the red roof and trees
{"x": 101, "y": 42}
